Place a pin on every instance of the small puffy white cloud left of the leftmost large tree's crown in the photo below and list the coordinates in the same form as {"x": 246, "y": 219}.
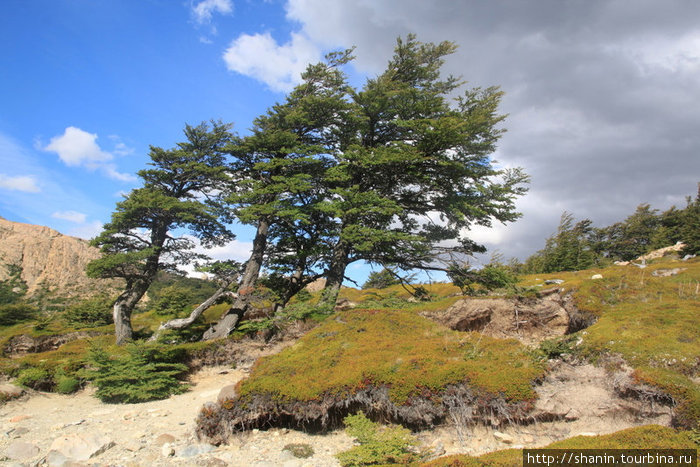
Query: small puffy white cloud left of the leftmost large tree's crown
{"x": 76, "y": 147}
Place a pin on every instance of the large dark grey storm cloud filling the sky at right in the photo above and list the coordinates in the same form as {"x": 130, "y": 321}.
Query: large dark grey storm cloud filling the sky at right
{"x": 603, "y": 97}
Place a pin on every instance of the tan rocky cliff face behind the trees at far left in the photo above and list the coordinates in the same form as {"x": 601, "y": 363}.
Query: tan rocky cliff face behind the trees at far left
{"x": 48, "y": 260}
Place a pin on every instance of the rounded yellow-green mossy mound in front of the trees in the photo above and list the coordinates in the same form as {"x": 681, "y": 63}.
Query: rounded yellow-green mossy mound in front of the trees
{"x": 409, "y": 354}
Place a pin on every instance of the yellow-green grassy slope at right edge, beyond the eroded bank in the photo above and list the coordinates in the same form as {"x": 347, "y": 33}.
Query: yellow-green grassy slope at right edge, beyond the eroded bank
{"x": 653, "y": 323}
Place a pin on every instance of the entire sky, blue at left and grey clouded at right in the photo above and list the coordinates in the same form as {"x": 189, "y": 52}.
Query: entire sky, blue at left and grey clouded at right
{"x": 602, "y": 96}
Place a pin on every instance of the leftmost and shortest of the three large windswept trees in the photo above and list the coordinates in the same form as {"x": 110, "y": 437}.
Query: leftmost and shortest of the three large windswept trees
{"x": 179, "y": 192}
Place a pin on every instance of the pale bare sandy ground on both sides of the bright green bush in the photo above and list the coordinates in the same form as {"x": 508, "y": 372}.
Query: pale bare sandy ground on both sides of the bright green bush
{"x": 161, "y": 433}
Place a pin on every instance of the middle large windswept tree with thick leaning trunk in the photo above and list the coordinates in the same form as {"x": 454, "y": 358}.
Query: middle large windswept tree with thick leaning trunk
{"x": 275, "y": 178}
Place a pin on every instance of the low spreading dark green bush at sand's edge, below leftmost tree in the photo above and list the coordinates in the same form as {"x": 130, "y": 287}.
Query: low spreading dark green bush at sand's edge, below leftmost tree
{"x": 147, "y": 372}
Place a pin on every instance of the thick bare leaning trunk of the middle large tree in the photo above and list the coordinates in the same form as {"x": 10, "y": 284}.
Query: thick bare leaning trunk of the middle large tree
{"x": 233, "y": 315}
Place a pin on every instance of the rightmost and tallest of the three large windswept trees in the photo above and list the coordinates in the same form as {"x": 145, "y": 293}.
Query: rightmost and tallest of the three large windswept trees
{"x": 415, "y": 173}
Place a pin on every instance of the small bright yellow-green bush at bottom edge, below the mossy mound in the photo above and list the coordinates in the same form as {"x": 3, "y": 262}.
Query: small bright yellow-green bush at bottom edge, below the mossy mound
{"x": 378, "y": 445}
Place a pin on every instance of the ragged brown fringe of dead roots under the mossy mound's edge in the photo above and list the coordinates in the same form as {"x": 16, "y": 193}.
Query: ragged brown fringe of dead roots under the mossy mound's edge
{"x": 217, "y": 421}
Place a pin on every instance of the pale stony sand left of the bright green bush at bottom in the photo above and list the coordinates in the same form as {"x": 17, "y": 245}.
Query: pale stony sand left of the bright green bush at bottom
{"x": 139, "y": 431}
